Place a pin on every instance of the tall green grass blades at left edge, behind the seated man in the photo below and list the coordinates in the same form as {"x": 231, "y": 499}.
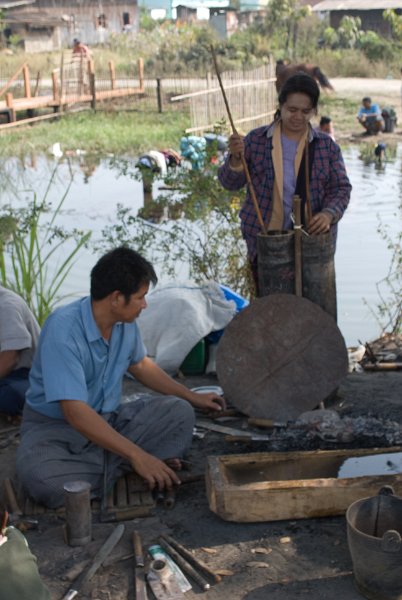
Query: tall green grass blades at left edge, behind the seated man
{"x": 34, "y": 259}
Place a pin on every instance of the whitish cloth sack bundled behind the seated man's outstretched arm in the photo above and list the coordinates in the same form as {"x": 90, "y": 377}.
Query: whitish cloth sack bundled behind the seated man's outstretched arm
{"x": 178, "y": 316}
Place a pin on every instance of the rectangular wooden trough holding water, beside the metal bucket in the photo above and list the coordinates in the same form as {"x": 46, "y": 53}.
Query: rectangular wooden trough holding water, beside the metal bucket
{"x": 295, "y": 485}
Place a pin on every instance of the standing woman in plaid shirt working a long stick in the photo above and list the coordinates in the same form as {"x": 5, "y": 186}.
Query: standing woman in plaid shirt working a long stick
{"x": 276, "y": 155}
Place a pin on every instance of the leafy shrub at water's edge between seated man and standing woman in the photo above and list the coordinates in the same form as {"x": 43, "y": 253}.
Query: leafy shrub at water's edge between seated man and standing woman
{"x": 202, "y": 231}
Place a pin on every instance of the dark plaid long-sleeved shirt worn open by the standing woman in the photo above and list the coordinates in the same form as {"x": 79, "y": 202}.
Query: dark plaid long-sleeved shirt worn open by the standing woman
{"x": 330, "y": 187}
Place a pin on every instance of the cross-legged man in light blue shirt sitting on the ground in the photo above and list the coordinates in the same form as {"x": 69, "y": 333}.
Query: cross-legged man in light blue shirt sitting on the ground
{"x": 74, "y": 425}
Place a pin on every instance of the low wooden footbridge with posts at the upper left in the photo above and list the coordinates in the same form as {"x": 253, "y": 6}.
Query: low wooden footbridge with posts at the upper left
{"x": 72, "y": 84}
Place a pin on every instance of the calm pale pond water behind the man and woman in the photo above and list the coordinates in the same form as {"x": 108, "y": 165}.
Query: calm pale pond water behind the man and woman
{"x": 362, "y": 257}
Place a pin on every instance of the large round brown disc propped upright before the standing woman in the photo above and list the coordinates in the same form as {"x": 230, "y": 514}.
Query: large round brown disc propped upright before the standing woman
{"x": 280, "y": 356}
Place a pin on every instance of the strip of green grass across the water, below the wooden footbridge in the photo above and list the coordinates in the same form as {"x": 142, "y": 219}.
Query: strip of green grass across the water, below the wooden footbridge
{"x": 129, "y": 132}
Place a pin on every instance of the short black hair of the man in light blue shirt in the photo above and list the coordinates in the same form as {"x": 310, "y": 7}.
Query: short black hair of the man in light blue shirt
{"x": 123, "y": 270}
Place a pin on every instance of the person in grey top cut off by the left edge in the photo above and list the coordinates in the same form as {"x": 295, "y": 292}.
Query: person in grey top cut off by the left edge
{"x": 19, "y": 333}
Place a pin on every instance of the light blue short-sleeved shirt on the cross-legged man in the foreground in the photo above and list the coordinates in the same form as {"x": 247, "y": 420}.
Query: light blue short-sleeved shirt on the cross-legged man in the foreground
{"x": 74, "y": 362}
